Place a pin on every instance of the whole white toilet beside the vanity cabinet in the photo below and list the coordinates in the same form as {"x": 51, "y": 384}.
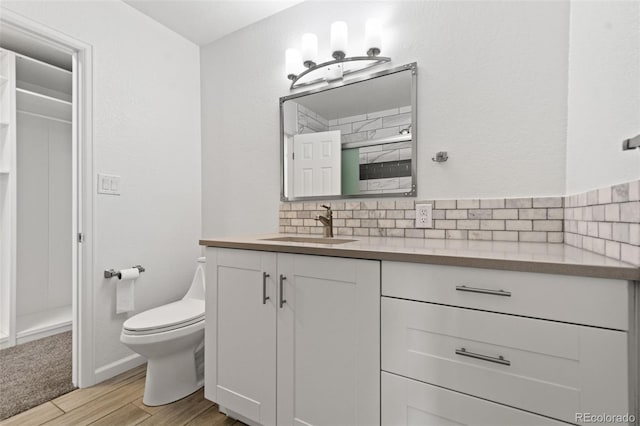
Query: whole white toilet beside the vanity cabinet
{"x": 169, "y": 337}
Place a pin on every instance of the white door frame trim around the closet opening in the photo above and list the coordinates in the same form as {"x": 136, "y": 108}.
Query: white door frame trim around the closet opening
{"x": 82, "y": 186}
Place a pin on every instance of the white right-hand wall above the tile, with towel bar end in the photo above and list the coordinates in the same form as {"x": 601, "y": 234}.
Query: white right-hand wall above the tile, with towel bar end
{"x": 604, "y": 94}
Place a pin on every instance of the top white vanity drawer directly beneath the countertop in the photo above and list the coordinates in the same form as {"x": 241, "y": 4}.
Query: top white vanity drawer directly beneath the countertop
{"x": 581, "y": 300}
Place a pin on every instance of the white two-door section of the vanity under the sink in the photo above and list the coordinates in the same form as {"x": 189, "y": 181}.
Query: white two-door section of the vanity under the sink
{"x": 293, "y": 339}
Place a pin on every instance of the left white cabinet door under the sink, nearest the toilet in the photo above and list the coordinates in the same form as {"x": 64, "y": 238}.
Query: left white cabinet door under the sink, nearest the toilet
{"x": 240, "y": 333}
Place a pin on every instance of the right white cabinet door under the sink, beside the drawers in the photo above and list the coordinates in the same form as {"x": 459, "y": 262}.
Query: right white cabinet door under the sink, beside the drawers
{"x": 328, "y": 341}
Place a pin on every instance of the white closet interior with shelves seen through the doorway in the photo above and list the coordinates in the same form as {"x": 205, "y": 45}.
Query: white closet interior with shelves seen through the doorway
{"x": 36, "y": 233}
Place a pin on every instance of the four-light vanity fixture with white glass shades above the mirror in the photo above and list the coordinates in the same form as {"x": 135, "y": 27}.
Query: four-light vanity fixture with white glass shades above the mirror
{"x": 301, "y": 66}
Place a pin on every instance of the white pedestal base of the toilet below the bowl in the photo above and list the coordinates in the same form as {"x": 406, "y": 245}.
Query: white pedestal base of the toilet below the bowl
{"x": 170, "y": 378}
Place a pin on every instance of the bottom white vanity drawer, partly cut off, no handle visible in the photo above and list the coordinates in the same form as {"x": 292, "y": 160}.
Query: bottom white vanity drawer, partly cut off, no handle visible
{"x": 409, "y": 402}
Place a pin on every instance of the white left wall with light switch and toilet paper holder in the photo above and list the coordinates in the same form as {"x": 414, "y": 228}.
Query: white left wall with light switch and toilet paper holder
{"x": 146, "y": 118}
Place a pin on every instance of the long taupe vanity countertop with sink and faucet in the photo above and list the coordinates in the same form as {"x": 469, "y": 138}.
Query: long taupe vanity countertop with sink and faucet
{"x": 527, "y": 257}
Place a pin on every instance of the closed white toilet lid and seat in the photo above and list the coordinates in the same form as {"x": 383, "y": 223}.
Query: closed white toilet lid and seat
{"x": 167, "y": 317}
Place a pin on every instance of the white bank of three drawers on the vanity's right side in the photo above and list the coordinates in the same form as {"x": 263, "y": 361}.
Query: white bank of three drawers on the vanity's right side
{"x": 478, "y": 346}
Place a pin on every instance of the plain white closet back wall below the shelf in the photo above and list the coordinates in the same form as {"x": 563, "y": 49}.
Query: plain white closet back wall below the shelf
{"x": 44, "y": 215}
